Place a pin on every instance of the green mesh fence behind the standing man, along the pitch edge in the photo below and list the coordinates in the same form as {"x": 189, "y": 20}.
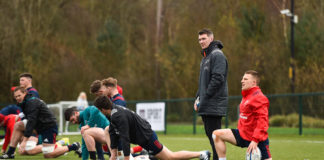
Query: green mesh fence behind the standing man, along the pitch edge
{"x": 291, "y": 106}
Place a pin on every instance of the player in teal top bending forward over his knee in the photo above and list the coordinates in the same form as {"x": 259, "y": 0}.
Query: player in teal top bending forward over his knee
{"x": 92, "y": 124}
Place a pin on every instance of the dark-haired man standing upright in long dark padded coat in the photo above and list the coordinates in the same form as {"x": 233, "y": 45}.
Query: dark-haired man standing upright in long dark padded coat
{"x": 212, "y": 96}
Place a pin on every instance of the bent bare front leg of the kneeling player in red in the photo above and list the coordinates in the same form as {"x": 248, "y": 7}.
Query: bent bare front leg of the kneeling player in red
{"x": 220, "y": 137}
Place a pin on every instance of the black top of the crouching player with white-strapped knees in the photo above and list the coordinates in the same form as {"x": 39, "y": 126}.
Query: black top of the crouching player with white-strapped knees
{"x": 39, "y": 116}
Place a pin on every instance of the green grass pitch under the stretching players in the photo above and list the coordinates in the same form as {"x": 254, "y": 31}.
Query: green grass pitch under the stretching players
{"x": 285, "y": 144}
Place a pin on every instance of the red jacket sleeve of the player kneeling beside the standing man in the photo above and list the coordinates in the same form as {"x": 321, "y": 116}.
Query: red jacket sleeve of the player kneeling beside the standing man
{"x": 261, "y": 112}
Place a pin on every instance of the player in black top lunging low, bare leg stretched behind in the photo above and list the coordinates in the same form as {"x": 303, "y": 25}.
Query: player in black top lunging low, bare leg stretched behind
{"x": 128, "y": 127}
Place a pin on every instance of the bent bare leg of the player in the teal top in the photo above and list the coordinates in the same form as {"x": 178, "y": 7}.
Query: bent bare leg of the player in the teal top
{"x": 91, "y": 136}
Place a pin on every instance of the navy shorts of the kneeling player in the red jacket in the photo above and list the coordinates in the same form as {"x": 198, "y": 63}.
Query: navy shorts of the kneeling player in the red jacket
{"x": 263, "y": 145}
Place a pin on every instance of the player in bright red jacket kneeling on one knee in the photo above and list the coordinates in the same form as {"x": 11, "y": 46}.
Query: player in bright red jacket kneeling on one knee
{"x": 253, "y": 122}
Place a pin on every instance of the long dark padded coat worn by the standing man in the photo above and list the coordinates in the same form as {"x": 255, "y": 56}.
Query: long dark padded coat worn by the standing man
{"x": 212, "y": 89}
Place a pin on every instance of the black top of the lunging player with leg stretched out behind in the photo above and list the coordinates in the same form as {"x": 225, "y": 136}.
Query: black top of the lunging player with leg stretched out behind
{"x": 128, "y": 127}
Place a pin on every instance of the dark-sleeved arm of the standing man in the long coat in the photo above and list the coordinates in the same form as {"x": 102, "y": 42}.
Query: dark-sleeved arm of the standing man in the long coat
{"x": 218, "y": 72}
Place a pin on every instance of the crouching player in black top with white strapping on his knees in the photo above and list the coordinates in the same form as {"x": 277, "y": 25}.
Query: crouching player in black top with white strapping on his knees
{"x": 41, "y": 119}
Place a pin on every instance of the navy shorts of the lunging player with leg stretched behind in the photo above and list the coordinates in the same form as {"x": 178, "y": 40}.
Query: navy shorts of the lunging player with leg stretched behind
{"x": 153, "y": 146}
